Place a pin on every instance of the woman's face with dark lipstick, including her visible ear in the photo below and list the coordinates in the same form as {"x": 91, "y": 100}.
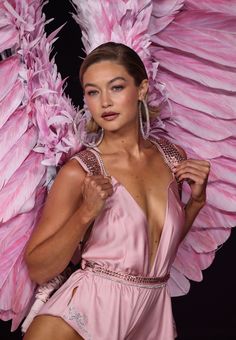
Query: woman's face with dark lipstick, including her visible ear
{"x": 112, "y": 96}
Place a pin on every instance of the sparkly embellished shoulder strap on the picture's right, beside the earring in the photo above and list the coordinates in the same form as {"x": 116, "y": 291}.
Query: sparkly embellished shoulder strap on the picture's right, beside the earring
{"x": 171, "y": 154}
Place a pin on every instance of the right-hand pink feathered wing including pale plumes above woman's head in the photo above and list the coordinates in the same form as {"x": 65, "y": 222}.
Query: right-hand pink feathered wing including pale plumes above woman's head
{"x": 189, "y": 50}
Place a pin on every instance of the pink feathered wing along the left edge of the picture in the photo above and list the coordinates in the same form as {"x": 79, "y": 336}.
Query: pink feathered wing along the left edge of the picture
{"x": 36, "y": 134}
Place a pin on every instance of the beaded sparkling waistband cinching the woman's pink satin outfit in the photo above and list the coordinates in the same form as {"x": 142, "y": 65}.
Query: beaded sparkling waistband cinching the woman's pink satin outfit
{"x": 127, "y": 278}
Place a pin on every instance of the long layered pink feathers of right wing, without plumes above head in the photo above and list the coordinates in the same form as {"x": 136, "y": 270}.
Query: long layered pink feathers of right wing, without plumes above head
{"x": 197, "y": 65}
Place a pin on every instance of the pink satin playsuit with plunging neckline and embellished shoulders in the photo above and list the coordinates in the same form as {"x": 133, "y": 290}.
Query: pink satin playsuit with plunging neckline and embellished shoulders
{"x": 102, "y": 307}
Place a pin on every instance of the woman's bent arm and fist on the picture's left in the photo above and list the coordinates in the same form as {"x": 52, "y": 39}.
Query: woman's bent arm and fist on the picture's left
{"x": 72, "y": 204}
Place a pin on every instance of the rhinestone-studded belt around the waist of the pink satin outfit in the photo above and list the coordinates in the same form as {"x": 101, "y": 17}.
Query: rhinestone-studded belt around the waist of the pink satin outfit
{"x": 97, "y": 269}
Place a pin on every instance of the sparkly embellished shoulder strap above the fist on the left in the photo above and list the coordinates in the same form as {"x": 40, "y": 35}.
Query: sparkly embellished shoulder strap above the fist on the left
{"x": 89, "y": 162}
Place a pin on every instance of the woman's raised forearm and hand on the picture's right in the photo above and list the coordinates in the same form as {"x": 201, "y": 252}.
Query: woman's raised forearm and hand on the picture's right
{"x": 196, "y": 173}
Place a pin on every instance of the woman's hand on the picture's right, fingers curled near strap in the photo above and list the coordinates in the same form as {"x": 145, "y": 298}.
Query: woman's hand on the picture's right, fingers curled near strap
{"x": 196, "y": 173}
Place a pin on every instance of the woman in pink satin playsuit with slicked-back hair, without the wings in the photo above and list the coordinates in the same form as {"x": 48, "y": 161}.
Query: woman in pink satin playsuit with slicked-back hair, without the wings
{"x": 127, "y": 185}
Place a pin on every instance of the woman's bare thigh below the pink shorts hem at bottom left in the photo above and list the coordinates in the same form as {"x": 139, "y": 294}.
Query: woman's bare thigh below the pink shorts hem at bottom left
{"x": 47, "y": 327}
